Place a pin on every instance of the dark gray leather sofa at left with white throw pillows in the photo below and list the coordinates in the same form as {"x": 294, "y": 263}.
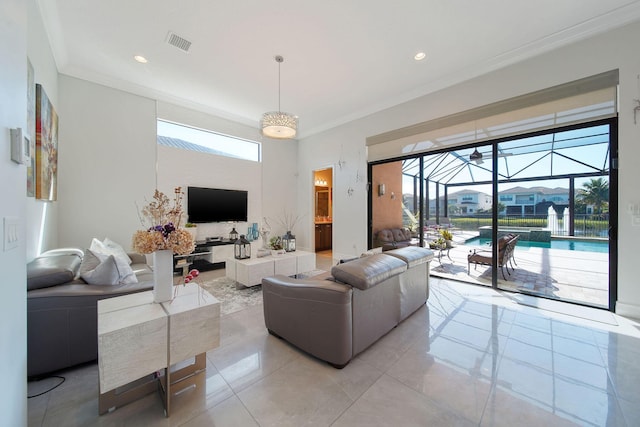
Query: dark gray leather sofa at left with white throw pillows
{"x": 62, "y": 317}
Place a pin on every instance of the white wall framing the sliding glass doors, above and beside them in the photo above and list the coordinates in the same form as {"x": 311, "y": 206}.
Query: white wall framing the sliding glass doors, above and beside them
{"x": 613, "y": 50}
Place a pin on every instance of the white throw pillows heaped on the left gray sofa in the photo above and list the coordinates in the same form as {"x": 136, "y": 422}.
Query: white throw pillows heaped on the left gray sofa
{"x": 112, "y": 270}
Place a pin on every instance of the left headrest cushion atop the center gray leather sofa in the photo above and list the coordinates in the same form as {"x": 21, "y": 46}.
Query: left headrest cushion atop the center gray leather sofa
{"x": 364, "y": 273}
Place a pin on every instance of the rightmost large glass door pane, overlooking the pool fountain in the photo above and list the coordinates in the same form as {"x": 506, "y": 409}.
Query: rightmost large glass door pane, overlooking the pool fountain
{"x": 555, "y": 193}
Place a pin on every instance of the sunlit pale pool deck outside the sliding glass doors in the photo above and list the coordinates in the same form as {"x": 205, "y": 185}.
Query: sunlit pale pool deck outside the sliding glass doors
{"x": 575, "y": 276}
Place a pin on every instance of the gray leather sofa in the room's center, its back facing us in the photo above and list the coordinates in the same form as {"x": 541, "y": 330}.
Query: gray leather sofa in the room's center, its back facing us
{"x": 334, "y": 318}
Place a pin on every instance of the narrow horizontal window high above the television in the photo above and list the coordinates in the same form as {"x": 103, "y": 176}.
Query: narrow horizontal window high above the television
{"x": 189, "y": 138}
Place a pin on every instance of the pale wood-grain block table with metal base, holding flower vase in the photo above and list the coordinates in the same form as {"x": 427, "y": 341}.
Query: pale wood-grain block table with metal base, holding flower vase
{"x": 139, "y": 341}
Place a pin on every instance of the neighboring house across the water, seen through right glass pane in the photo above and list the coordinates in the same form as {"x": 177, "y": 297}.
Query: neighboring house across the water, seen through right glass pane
{"x": 533, "y": 200}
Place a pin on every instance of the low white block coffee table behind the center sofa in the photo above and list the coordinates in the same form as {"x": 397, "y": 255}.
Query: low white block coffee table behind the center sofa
{"x": 250, "y": 272}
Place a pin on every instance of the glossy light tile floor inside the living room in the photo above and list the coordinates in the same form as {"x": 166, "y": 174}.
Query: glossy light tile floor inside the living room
{"x": 471, "y": 356}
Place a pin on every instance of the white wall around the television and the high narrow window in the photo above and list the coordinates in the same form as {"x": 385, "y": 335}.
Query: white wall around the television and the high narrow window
{"x": 271, "y": 183}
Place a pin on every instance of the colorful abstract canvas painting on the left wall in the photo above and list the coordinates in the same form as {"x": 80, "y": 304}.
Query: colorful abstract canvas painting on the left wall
{"x": 46, "y": 147}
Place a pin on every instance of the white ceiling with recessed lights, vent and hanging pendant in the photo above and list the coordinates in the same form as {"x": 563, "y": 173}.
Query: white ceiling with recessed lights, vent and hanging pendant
{"x": 343, "y": 59}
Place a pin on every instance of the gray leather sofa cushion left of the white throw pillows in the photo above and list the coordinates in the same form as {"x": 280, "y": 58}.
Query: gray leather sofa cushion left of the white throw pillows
{"x": 48, "y": 271}
